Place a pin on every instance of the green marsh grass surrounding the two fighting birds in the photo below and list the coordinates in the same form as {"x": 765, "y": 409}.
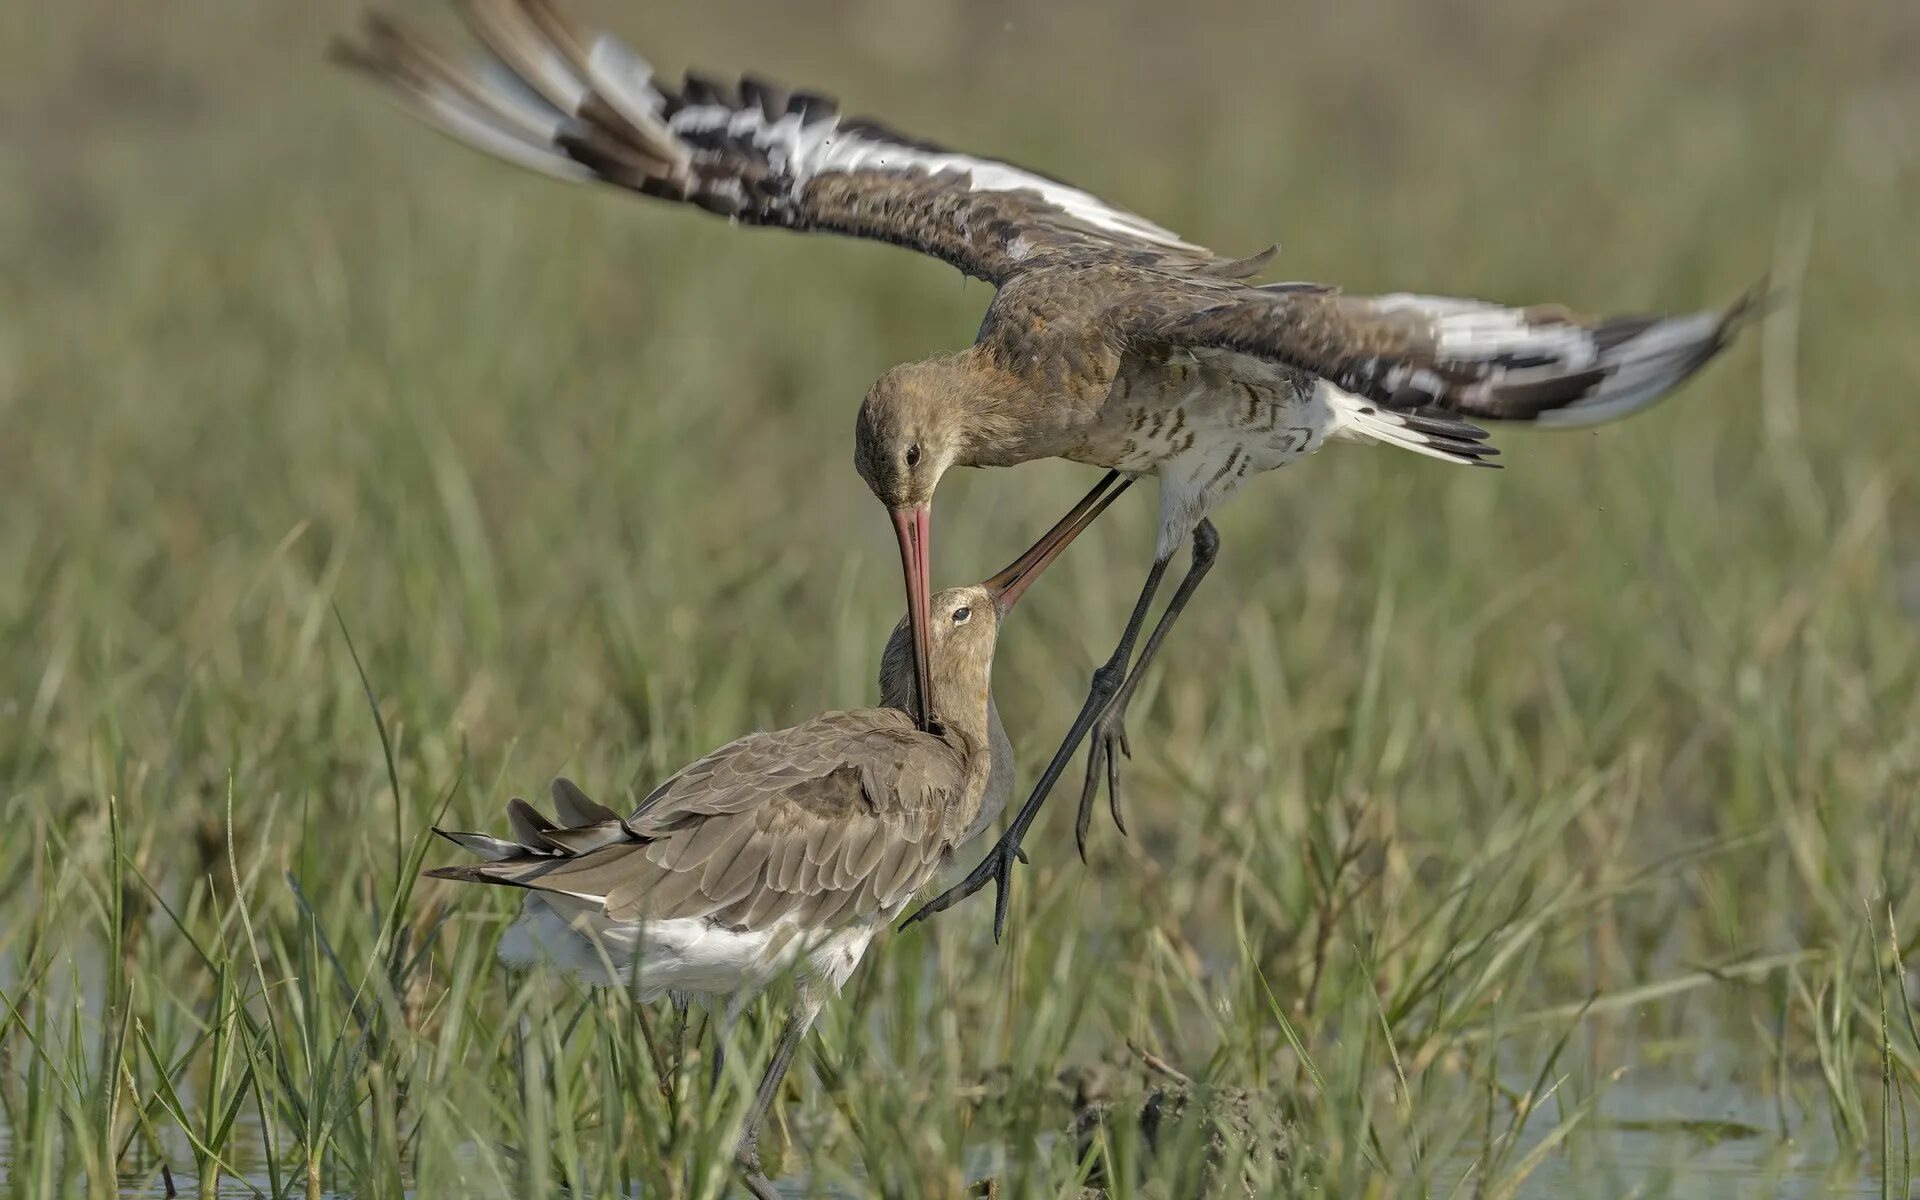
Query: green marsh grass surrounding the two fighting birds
{"x": 1537, "y": 832}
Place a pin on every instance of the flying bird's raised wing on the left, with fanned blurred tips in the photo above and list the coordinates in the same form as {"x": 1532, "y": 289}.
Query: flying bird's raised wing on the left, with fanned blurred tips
{"x": 587, "y": 108}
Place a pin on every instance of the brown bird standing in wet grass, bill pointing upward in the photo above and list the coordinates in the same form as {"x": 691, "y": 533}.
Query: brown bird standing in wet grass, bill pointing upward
{"x": 779, "y": 852}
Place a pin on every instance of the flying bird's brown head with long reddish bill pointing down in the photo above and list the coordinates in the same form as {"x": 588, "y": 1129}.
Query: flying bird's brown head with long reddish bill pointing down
{"x": 907, "y": 437}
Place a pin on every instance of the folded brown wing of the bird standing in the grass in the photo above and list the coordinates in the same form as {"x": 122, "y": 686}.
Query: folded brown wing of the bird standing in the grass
{"x": 830, "y": 821}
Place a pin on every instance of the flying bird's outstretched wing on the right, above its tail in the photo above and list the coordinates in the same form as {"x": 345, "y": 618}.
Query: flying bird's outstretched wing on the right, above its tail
{"x": 1466, "y": 356}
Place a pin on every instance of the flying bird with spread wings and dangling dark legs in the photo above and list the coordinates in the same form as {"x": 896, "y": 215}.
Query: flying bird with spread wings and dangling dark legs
{"x": 1111, "y": 341}
